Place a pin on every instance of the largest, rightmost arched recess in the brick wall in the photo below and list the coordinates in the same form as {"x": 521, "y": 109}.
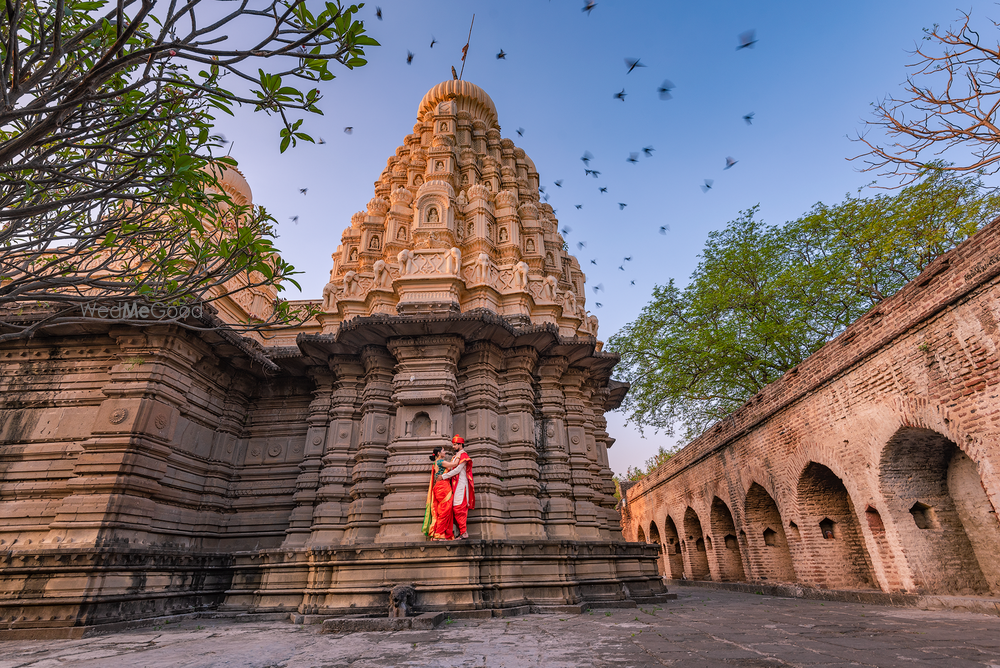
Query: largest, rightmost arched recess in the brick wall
{"x": 947, "y": 526}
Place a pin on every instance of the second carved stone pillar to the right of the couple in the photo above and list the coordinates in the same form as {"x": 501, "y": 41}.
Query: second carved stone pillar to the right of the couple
{"x": 519, "y": 457}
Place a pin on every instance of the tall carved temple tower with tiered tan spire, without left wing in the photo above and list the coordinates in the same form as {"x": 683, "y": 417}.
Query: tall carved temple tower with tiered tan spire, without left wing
{"x": 454, "y": 307}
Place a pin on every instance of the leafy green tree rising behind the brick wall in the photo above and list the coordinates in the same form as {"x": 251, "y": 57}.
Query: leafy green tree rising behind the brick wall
{"x": 764, "y": 298}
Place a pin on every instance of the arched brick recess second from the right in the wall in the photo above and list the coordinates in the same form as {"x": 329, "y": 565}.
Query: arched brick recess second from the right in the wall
{"x": 830, "y": 533}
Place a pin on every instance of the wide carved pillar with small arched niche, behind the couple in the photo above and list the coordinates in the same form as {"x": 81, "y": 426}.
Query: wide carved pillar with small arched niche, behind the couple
{"x": 425, "y": 391}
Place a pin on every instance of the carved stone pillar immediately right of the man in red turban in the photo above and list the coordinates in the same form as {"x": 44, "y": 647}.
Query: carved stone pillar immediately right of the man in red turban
{"x": 479, "y": 394}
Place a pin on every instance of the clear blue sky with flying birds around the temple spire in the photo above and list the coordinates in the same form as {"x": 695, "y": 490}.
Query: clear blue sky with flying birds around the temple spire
{"x": 809, "y": 80}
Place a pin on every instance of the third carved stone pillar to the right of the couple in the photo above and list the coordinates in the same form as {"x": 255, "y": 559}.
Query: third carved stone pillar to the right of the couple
{"x": 556, "y": 493}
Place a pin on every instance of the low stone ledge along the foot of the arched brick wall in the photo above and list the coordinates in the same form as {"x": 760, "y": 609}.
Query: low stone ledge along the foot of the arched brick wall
{"x": 983, "y": 605}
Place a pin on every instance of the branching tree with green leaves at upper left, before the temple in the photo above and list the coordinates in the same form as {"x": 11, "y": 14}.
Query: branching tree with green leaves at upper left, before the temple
{"x": 110, "y": 169}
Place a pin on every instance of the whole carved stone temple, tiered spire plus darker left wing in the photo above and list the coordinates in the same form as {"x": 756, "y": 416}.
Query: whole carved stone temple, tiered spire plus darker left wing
{"x": 157, "y": 470}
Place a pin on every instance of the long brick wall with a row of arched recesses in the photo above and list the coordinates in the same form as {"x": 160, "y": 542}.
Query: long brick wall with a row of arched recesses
{"x": 872, "y": 465}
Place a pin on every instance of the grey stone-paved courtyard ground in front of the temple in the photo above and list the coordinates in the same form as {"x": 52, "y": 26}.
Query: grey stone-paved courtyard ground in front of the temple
{"x": 701, "y": 628}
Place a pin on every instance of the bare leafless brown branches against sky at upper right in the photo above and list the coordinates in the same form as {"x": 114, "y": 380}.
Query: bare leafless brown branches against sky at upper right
{"x": 948, "y": 110}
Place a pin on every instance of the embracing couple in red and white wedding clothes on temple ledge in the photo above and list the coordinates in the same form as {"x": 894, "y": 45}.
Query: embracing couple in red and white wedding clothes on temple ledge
{"x": 451, "y": 494}
